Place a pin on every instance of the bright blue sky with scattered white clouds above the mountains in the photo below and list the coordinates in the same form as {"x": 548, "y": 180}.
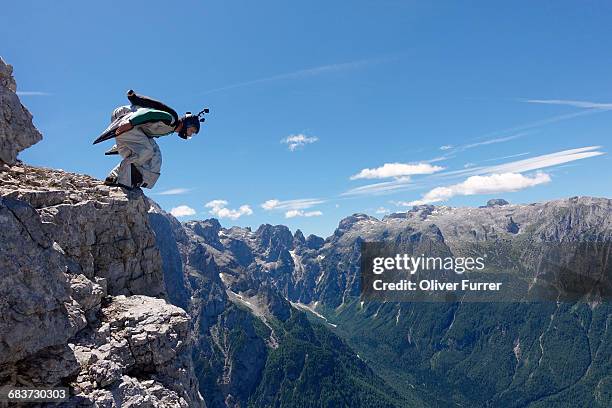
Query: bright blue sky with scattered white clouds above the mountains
{"x": 322, "y": 109}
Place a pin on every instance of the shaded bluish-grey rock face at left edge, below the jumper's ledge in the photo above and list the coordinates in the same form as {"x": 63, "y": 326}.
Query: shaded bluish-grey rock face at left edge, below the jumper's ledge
{"x": 34, "y": 288}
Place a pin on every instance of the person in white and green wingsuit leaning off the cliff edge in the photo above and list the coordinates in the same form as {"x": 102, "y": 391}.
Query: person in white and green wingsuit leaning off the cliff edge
{"x": 134, "y": 128}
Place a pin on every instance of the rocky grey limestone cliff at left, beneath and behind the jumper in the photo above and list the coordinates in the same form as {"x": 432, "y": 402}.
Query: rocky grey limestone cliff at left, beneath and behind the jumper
{"x": 83, "y": 301}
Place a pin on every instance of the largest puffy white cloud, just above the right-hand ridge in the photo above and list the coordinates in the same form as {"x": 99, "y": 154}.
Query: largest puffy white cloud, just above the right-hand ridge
{"x": 494, "y": 183}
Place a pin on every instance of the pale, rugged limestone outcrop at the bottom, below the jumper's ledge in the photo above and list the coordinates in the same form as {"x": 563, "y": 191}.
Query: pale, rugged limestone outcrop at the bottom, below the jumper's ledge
{"x": 140, "y": 353}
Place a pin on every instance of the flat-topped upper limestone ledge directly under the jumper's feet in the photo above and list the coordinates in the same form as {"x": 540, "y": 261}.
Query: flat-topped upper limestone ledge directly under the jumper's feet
{"x": 105, "y": 230}
